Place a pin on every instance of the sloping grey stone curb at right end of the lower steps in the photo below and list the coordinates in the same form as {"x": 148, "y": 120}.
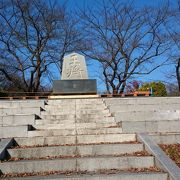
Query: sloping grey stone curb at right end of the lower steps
{"x": 161, "y": 159}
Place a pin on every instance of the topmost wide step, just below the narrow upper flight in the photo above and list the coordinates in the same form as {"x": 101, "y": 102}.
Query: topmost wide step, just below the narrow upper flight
{"x": 79, "y": 139}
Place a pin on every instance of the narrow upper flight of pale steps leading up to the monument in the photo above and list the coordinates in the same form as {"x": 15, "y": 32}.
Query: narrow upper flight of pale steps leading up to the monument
{"x": 76, "y": 117}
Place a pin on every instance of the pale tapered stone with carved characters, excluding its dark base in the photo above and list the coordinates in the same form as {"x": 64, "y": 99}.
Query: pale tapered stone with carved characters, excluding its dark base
{"x": 74, "y": 67}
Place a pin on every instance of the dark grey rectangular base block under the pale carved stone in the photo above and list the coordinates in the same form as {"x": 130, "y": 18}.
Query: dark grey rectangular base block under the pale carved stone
{"x": 87, "y": 86}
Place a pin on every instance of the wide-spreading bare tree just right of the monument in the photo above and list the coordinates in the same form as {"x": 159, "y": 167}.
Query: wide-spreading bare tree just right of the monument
{"x": 125, "y": 40}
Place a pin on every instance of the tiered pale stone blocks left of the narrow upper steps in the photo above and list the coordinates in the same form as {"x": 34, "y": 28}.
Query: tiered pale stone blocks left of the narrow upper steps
{"x": 17, "y": 117}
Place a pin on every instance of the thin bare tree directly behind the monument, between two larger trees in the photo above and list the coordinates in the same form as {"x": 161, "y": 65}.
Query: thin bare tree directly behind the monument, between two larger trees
{"x": 68, "y": 39}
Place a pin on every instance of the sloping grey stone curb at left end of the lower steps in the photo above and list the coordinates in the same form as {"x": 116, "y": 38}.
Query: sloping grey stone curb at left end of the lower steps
{"x": 4, "y": 144}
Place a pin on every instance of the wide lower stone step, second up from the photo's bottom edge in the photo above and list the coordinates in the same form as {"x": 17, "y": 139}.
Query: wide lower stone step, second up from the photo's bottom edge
{"x": 80, "y": 164}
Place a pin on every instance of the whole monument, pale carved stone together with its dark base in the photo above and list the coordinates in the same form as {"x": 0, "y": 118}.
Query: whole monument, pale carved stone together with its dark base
{"x": 74, "y": 79}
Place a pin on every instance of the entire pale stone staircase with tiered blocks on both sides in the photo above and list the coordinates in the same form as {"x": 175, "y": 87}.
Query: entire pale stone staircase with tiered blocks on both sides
{"x": 86, "y": 138}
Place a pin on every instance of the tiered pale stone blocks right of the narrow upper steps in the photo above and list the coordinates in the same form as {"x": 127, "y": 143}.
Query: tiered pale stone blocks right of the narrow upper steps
{"x": 159, "y": 117}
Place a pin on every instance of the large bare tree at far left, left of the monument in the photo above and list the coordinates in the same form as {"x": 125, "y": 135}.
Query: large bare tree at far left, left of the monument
{"x": 27, "y": 31}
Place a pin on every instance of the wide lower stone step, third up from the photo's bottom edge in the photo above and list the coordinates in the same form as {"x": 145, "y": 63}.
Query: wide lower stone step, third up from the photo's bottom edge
{"x": 87, "y": 150}
